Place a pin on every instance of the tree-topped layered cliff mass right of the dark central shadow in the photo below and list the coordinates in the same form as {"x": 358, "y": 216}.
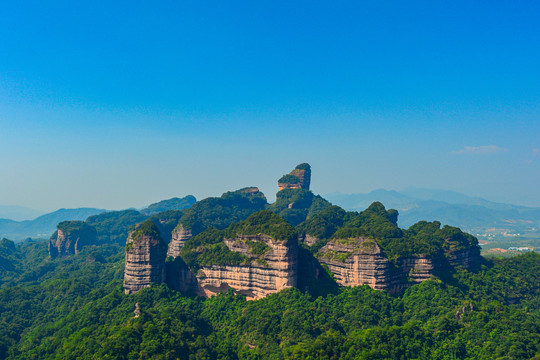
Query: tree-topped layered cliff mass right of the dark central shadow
{"x": 370, "y": 249}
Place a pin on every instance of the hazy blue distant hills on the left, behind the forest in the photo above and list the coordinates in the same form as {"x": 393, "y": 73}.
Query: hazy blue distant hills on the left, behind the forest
{"x": 44, "y": 225}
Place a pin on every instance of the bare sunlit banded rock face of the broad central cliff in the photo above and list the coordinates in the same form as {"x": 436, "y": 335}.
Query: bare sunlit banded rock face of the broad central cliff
{"x": 271, "y": 272}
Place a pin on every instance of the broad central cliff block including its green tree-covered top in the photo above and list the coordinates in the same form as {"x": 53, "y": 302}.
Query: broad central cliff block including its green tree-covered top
{"x": 255, "y": 257}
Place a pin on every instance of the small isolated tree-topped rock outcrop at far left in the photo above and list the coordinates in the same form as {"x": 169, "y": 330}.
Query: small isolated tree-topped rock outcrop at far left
{"x": 70, "y": 237}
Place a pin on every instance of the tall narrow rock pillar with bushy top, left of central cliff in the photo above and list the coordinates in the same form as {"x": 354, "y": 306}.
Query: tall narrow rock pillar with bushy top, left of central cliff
{"x": 145, "y": 258}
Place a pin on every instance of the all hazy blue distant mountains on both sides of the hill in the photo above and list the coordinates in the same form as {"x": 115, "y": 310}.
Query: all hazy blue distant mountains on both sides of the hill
{"x": 472, "y": 214}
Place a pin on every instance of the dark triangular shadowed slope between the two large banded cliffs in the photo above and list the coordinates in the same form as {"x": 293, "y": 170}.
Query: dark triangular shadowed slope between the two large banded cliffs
{"x": 312, "y": 277}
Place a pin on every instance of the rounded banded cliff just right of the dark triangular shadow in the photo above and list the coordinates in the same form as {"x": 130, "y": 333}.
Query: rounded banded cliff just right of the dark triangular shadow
{"x": 357, "y": 261}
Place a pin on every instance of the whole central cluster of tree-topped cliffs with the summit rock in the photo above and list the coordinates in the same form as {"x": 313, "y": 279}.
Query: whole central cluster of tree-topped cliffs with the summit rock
{"x": 231, "y": 242}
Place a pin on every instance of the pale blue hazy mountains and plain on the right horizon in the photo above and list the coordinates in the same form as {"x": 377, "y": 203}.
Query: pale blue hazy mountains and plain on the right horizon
{"x": 473, "y": 214}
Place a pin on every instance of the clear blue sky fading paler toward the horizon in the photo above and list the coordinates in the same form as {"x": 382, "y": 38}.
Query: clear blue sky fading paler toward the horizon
{"x": 117, "y": 104}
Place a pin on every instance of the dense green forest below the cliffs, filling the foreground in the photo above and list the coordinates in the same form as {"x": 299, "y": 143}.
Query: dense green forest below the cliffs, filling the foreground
{"x": 75, "y": 307}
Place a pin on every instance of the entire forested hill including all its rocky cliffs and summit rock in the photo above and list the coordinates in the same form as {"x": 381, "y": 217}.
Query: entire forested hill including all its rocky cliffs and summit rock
{"x": 302, "y": 260}
